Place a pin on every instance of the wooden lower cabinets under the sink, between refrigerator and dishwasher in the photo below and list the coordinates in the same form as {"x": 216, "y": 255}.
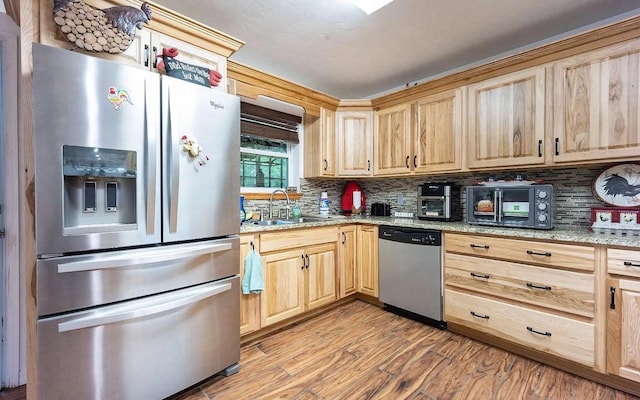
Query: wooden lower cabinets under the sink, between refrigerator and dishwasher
{"x": 304, "y": 269}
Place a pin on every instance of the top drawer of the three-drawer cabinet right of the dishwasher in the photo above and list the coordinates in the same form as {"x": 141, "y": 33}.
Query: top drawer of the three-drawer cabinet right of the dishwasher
{"x": 551, "y": 254}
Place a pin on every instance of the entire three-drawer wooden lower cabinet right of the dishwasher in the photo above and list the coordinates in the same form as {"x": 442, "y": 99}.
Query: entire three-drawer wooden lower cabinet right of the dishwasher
{"x": 537, "y": 294}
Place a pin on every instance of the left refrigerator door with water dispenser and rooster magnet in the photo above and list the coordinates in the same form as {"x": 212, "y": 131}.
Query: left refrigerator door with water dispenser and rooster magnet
{"x": 97, "y": 129}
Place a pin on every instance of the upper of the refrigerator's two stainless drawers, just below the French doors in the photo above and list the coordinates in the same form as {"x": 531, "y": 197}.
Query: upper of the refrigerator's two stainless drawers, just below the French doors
{"x": 75, "y": 282}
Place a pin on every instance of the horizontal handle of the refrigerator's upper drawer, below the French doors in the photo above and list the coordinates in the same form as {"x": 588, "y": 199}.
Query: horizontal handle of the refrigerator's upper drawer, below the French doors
{"x": 149, "y": 257}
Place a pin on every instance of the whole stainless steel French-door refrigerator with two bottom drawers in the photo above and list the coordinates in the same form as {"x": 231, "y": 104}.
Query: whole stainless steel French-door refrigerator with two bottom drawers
{"x": 136, "y": 201}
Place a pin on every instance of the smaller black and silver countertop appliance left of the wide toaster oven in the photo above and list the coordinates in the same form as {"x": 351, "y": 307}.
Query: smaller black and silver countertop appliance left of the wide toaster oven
{"x": 439, "y": 201}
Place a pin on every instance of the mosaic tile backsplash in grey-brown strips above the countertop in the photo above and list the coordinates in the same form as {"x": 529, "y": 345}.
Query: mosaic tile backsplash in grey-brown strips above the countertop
{"x": 572, "y": 191}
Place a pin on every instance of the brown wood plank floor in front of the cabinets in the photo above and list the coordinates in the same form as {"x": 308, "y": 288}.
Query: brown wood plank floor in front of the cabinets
{"x": 358, "y": 351}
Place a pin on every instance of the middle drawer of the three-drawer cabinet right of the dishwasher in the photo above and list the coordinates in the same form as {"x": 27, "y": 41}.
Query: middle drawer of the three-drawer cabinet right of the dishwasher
{"x": 571, "y": 292}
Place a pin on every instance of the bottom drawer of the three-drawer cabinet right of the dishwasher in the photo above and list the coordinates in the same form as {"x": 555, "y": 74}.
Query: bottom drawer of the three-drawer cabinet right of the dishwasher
{"x": 560, "y": 336}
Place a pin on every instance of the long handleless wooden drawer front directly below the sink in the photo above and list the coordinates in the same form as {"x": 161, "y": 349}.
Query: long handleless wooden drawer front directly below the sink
{"x": 289, "y": 239}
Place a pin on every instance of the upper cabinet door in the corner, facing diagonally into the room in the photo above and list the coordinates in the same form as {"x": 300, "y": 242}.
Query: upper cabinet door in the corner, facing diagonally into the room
{"x": 354, "y": 144}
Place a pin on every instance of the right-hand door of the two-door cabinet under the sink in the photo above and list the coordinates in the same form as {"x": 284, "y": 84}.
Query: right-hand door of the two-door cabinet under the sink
{"x": 321, "y": 275}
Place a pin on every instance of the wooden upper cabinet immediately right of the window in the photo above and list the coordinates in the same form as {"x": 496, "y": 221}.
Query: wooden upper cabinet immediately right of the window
{"x": 319, "y": 144}
